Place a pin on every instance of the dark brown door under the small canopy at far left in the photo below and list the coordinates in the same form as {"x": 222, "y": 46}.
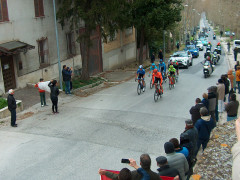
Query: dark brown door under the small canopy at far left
{"x": 8, "y": 72}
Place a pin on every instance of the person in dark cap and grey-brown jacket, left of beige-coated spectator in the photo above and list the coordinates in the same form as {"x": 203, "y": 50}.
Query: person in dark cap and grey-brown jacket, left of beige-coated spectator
{"x": 212, "y": 98}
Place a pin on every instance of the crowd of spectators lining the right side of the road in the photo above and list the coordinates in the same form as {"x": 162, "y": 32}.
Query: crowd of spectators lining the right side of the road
{"x": 181, "y": 154}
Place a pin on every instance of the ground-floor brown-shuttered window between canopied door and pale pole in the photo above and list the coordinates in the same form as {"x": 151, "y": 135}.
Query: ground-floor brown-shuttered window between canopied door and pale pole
{"x": 43, "y": 51}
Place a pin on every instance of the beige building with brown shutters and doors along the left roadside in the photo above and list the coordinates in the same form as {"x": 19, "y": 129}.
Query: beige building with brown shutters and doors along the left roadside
{"x": 28, "y": 45}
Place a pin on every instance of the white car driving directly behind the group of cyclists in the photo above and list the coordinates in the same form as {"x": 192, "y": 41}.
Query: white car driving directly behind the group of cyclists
{"x": 184, "y": 58}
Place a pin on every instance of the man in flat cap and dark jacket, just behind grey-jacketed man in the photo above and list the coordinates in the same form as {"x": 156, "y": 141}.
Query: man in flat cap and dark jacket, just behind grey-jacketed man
{"x": 185, "y": 142}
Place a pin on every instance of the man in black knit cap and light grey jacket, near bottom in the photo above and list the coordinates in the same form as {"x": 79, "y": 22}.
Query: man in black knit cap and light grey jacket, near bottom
{"x": 176, "y": 160}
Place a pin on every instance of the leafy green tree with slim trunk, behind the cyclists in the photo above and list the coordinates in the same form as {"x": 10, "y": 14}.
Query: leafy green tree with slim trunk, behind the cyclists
{"x": 154, "y": 15}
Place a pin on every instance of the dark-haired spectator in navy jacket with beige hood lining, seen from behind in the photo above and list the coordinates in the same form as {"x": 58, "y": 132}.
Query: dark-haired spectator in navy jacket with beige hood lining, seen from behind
{"x": 204, "y": 127}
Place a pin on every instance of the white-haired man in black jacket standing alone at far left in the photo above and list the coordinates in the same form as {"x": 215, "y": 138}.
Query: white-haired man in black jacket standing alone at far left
{"x": 12, "y": 107}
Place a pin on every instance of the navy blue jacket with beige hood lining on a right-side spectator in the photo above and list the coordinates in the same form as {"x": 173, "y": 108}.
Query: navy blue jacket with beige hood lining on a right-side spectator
{"x": 204, "y": 127}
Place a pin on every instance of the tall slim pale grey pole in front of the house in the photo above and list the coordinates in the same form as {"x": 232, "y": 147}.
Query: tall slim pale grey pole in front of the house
{"x": 58, "y": 54}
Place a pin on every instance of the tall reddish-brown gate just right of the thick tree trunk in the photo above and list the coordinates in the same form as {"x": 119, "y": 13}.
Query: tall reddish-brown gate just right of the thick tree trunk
{"x": 95, "y": 52}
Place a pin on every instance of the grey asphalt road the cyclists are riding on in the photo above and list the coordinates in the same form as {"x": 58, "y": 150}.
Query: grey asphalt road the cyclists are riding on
{"x": 97, "y": 131}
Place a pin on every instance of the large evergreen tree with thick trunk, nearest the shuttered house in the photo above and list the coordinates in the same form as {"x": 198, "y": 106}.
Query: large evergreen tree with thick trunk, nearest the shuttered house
{"x": 109, "y": 16}
